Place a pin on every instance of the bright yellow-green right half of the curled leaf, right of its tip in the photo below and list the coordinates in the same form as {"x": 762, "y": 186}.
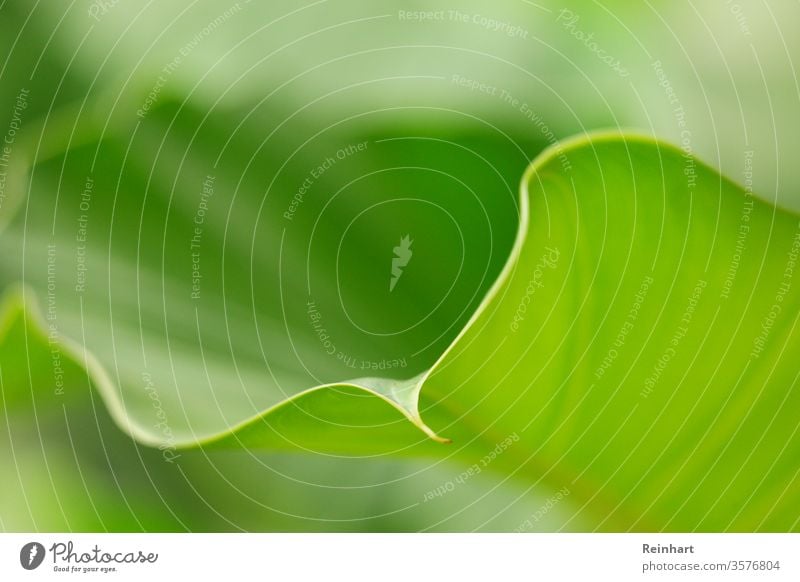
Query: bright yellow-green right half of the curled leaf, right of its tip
{"x": 644, "y": 348}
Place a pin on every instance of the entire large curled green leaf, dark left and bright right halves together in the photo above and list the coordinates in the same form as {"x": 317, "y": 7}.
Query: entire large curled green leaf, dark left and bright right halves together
{"x": 635, "y": 351}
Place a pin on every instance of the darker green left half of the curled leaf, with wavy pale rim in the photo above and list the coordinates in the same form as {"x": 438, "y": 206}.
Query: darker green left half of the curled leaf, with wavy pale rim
{"x": 209, "y": 278}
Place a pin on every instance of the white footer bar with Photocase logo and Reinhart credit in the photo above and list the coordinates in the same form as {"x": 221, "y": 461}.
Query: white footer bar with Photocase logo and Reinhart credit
{"x": 390, "y": 557}
